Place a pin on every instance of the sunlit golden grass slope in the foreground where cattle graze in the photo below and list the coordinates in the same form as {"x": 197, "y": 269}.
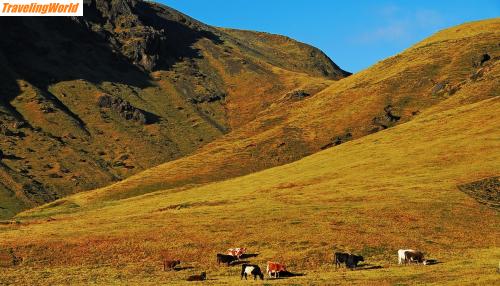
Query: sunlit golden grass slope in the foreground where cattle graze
{"x": 393, "y": 189}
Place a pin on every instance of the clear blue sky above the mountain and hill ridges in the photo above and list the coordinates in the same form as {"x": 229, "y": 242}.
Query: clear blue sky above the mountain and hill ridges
{"x": 354, "y": 34}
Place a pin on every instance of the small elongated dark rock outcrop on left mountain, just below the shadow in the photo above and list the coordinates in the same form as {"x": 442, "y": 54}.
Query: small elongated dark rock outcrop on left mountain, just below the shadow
{"x": 122, "y": 107}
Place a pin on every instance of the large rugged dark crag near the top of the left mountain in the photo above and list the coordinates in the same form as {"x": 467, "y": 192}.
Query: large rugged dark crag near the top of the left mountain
{"x": 148, "y": 34}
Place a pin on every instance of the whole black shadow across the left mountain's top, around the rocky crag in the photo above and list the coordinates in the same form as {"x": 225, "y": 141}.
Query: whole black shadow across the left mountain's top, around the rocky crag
{"x": 46, "y": 50}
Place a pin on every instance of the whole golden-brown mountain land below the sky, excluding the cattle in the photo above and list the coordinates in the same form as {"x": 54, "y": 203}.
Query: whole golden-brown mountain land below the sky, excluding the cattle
{"x": 268, "y": 145}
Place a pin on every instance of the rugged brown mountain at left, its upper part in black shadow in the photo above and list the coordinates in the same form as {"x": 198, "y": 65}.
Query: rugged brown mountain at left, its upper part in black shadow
{"x": 87, "y": 101}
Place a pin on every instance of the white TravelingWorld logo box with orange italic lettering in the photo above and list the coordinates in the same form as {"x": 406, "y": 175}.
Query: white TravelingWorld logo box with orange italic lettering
{"x": 41, "y": 7}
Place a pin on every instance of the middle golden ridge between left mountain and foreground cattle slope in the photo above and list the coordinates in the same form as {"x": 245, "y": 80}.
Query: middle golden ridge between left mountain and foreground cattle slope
{"x": 440, "y": 73}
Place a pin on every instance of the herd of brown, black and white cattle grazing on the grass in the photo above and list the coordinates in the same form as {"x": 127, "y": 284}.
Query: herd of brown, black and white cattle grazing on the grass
{"x": 273, "y": 269}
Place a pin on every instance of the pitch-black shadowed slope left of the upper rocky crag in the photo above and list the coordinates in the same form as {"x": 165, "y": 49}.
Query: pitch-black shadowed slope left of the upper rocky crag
{"x": 46, "y": 50}
